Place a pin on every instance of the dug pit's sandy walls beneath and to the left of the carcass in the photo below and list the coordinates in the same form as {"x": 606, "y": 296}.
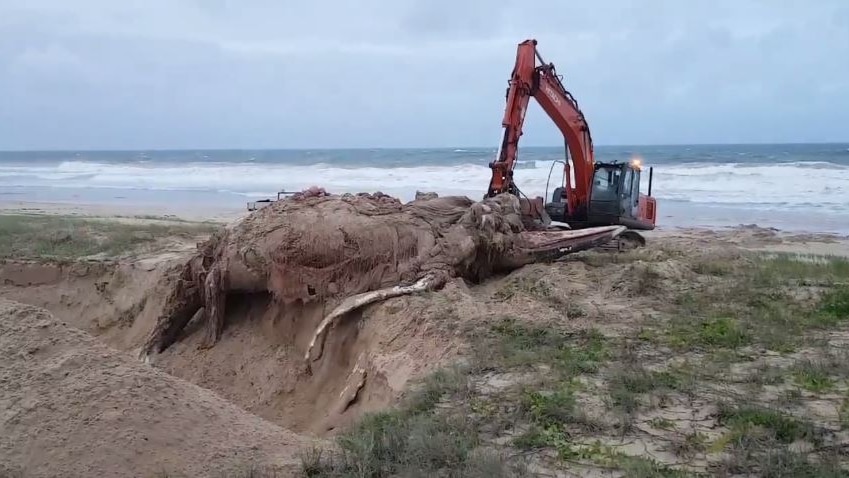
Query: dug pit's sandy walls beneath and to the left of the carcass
{"x": 362, "y": 362}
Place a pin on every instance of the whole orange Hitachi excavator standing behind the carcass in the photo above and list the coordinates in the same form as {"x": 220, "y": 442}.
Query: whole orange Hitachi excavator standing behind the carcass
{"x": 601, "y": 193}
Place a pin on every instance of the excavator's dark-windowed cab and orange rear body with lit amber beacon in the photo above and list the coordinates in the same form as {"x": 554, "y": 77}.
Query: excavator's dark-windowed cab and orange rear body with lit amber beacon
{"x": 615, "y": 197}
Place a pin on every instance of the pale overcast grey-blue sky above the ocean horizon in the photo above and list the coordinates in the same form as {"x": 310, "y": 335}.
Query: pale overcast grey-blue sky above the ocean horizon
{"x": 133, "y": 74}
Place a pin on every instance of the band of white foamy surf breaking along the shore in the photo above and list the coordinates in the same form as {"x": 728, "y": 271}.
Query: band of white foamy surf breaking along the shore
{"x": 811, "y": 185}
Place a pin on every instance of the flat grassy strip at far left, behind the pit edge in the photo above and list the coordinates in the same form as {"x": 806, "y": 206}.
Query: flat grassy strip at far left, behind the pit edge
{"x": 68, "y": 238}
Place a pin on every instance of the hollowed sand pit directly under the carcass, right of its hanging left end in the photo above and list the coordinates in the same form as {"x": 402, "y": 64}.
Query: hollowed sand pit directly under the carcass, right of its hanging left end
{"x": 259, "y": 364}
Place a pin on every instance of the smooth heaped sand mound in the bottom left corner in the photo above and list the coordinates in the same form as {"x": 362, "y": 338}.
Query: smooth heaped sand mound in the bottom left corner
{"x": 74, "y": 407}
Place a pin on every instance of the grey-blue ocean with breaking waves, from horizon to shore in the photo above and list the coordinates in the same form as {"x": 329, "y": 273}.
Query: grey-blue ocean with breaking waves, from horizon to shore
{"x": 788, "y": 186}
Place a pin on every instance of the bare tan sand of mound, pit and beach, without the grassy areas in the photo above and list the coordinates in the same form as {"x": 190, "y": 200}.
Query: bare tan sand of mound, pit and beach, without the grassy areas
{"x": 77, "y": 401}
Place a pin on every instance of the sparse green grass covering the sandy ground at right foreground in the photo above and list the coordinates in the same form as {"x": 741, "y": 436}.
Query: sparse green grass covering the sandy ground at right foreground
{"x": 717, "y": 342}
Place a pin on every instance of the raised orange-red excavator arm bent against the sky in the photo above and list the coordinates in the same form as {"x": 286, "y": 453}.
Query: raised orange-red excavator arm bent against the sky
{"x": 542, "y": 83}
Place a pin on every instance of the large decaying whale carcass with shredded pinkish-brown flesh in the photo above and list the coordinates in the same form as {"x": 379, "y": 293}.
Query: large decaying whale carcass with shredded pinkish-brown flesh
{"x": 349, "y": 251}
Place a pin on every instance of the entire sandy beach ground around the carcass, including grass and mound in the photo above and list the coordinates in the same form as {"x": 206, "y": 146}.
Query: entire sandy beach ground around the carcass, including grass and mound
{"x": 649, "y": 361}
